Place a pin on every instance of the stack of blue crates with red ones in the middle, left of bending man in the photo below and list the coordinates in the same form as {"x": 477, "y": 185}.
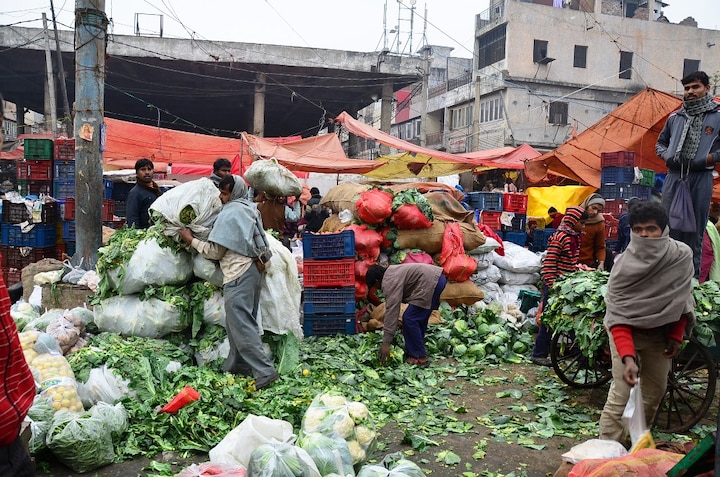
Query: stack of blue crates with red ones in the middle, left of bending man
{"x": 329, "y": 284}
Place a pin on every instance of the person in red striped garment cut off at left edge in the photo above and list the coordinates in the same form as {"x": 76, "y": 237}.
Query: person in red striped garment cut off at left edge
{"x": 18, "y": 388}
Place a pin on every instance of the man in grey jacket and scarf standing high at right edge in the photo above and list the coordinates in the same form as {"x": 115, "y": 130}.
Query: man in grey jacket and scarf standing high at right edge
{"x": 690, "y": 146}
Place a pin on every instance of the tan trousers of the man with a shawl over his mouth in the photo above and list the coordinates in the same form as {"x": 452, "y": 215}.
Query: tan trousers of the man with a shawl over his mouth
{"x": 654, "y": 369}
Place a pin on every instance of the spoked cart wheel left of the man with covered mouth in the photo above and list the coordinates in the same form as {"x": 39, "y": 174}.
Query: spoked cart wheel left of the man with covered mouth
{"x": 573, "y": 368}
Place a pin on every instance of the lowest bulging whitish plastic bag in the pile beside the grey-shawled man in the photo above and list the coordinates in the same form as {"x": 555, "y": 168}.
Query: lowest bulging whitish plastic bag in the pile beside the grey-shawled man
{"x": 129, "y": 316}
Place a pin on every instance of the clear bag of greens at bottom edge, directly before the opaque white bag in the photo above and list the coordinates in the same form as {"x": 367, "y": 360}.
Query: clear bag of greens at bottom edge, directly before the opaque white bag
{"x": 281, "y": 459}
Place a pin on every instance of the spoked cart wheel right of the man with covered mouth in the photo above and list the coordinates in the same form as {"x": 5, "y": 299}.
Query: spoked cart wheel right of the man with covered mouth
{"x": 690, "y": 390}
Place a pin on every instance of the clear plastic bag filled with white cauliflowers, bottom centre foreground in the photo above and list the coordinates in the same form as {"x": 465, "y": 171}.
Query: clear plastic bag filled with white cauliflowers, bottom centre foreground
{"x": 333, "y": 415}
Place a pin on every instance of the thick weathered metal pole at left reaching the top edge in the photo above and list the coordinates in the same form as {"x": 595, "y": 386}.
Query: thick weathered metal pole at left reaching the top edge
{"x": 90, "y": 40}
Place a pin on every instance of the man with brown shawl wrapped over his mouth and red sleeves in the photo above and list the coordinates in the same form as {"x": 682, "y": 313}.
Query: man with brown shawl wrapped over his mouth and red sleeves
{"x": 650, "y": 309}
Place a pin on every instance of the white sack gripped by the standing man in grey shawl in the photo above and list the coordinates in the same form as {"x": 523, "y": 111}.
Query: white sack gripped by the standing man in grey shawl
{"x": 201, "y": 195}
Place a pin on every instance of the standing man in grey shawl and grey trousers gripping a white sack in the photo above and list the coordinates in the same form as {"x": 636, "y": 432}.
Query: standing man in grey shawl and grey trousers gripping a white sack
{"x": 238, "y": 241}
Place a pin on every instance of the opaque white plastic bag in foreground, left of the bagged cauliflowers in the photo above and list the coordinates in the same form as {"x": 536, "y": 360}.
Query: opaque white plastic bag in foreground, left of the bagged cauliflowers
{"x": 238, "y": 444}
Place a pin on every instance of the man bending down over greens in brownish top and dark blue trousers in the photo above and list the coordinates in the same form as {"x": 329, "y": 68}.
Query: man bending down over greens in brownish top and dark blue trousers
{"x": 417, "y": 284}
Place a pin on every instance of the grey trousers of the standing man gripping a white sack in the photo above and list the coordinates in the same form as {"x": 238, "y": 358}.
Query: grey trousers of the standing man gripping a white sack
{"x": 247, "y": 355}
